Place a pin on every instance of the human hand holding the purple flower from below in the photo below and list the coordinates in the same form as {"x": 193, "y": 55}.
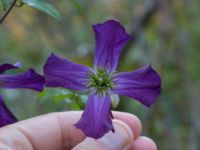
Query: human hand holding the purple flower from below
{"x": 56, "y": 131}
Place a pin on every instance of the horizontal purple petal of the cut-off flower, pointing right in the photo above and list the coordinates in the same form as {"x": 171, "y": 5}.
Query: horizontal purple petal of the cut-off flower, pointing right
{"x": 30, "y": 79}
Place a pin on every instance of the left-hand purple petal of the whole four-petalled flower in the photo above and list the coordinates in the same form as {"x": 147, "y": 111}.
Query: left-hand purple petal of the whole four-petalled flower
{"x": 60, "y": 72}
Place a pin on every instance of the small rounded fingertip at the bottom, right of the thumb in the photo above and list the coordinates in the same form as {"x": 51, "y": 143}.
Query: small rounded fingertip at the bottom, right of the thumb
{"x": 144, "y": 143}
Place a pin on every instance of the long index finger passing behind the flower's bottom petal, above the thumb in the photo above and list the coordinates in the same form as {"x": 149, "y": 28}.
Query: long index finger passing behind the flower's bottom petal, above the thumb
{"x": 53, "y": 131}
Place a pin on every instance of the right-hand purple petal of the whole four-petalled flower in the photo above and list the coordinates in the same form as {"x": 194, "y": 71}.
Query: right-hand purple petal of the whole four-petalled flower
{"x": 143, "y": 85}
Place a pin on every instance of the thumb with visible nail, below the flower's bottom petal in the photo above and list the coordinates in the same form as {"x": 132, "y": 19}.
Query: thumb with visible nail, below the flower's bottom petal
{"x": 121, "y": 139}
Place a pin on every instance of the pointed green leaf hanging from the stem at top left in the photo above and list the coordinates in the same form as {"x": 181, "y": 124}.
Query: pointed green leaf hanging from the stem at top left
{"x": 44, "y": 7}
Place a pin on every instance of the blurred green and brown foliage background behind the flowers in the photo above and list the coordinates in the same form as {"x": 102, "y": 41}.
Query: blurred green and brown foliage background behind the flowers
{"x": 166, "y": 34}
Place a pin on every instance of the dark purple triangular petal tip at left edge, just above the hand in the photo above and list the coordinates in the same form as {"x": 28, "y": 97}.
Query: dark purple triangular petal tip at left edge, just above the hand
{"x": 6, "y": 117}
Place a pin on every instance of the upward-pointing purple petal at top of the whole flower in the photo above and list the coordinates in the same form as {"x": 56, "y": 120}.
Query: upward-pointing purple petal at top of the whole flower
{"x": 110, "y": 39}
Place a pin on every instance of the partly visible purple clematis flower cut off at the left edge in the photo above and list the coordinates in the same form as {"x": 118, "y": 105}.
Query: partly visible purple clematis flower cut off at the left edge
{"x": 30, "y": 79}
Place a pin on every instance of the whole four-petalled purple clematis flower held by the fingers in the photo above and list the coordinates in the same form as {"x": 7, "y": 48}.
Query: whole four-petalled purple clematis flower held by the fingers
{"x": 103, "y": 80}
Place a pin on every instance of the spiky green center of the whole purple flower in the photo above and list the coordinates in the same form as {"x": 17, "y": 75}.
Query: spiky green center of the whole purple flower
{"x": 101, "y": 81}
